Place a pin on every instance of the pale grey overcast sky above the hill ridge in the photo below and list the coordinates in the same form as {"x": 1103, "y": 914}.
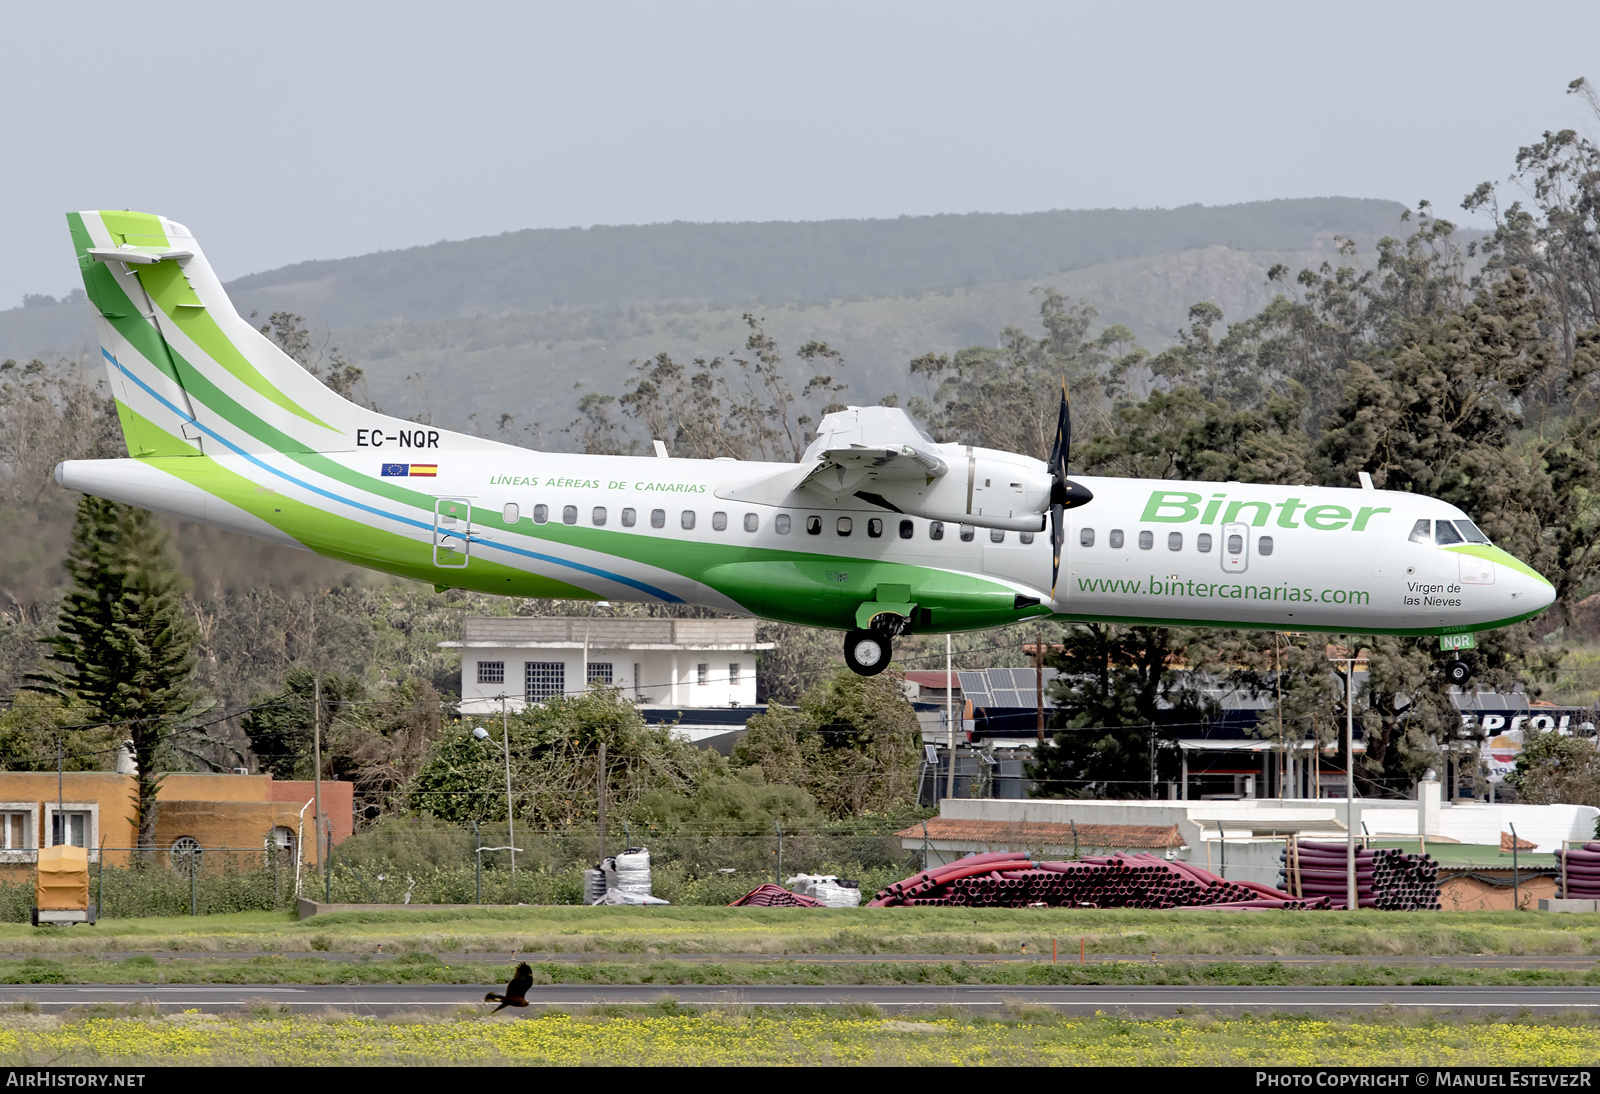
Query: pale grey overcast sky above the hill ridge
{"x": 286, "y": 132}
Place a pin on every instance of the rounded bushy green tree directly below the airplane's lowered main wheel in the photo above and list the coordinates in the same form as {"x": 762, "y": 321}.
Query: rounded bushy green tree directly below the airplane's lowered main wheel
{"x": 852, "y": 745}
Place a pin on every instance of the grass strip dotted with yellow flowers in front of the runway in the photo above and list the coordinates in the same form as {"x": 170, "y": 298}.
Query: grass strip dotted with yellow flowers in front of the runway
{"x": 671, "y": 1036}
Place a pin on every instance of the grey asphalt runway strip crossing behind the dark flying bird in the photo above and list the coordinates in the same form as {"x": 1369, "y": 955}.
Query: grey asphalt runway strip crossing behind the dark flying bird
{"x": 399, "y": 999}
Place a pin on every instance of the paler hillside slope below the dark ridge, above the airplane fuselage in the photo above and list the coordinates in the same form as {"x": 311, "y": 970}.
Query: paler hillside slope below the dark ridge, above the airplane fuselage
{"x": 529, "y": 364}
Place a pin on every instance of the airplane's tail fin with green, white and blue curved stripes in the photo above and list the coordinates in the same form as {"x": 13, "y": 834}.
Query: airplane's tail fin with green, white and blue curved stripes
{"x": 188, "y": 372}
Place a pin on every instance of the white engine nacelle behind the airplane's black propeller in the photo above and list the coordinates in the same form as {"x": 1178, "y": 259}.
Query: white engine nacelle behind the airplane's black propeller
{"x": 983, "y": 487}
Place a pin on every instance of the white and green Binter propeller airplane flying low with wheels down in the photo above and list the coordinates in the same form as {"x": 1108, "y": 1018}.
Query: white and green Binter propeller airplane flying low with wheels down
{"x": 878, "y": 532}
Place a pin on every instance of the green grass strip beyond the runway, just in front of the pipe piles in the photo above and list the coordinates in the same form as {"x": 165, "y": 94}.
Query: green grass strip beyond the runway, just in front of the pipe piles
{"x": 666, "y": 932}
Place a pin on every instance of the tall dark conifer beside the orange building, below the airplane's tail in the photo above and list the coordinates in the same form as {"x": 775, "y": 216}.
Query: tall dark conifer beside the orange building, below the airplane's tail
{"x": 124, "y": 645}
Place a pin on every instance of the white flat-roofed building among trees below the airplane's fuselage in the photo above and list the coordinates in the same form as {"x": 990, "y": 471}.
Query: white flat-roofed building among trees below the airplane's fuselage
{"x": 658, "y": 663}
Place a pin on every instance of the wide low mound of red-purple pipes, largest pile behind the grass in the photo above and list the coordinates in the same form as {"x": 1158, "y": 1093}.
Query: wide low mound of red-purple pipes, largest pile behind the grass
{"x": 1012, "y": 880}
